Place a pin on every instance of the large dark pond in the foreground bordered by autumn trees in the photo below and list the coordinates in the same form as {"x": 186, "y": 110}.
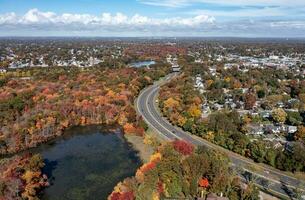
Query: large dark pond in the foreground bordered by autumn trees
{"x": 86, "y": 163}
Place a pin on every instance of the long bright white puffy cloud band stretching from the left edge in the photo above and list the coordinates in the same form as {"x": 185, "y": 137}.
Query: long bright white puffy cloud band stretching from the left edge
{"x": 106, "y": 21}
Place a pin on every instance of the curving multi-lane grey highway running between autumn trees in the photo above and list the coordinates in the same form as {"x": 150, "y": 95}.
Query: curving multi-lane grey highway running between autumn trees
{"x": 277, "y": 182}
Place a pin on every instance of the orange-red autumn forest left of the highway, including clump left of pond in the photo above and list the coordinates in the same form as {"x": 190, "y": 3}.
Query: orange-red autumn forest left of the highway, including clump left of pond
{"x": 37, "y": 105}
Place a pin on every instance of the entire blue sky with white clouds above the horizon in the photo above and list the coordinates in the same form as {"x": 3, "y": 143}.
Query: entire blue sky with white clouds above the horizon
{"x": 153, "y": 18}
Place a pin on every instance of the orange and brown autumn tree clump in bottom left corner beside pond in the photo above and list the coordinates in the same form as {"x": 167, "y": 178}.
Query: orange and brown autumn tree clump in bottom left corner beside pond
{"x": 21, "y": 177}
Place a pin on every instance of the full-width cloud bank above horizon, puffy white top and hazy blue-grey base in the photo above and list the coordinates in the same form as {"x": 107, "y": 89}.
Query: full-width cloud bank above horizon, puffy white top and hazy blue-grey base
{"x": 201, "y": 23}
